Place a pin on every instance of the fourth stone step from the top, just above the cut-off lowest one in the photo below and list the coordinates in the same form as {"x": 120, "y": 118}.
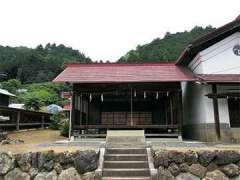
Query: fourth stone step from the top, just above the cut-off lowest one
{"x": 107, "y": 172}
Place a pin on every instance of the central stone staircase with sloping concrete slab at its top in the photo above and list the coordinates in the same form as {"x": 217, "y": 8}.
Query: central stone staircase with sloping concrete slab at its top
{"x": 126, "y": 156}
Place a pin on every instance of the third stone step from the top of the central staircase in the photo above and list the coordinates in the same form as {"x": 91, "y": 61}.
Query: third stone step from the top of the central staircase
{"x": 126, "y": 164}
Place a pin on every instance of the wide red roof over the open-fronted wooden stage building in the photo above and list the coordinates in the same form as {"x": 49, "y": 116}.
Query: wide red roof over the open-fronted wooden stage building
{"x": 111, "y": 73}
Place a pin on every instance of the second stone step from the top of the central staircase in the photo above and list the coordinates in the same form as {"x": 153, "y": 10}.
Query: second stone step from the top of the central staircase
{"x": 125, "y": 157}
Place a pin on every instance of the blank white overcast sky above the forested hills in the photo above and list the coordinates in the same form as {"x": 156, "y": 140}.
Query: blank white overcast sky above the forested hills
{"x": 106, "y": 29}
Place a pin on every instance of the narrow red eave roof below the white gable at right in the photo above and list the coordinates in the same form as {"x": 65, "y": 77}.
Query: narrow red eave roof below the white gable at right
{"x": 222, "y": 78}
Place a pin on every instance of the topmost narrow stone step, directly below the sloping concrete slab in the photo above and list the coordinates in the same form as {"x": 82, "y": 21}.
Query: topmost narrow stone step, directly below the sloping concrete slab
{"x": 126, "y": 151}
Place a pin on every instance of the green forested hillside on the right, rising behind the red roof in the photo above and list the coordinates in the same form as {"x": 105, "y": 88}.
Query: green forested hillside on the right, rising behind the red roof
{"x": 165, "y": 49}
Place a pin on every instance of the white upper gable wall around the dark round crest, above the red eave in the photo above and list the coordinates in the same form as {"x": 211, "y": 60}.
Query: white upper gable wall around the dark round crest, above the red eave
{"x": 219, "y": 58}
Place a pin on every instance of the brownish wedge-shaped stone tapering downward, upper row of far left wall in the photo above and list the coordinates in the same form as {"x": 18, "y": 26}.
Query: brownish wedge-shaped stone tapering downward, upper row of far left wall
{"x": 24, "y": 161}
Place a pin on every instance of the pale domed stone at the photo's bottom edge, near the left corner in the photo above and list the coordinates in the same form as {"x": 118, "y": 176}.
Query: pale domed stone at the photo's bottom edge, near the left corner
{"x": 16, "y": 174}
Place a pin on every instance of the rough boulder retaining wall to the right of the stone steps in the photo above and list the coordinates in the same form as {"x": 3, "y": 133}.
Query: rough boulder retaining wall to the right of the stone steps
{"x": 190, "y": 165}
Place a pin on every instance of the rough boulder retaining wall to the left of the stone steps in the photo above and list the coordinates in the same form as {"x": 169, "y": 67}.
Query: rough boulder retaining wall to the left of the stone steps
{"x": 78, "y": 165}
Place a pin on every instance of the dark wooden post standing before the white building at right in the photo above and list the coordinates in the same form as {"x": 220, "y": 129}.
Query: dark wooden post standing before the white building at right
{"x": 216, "y": 112}
